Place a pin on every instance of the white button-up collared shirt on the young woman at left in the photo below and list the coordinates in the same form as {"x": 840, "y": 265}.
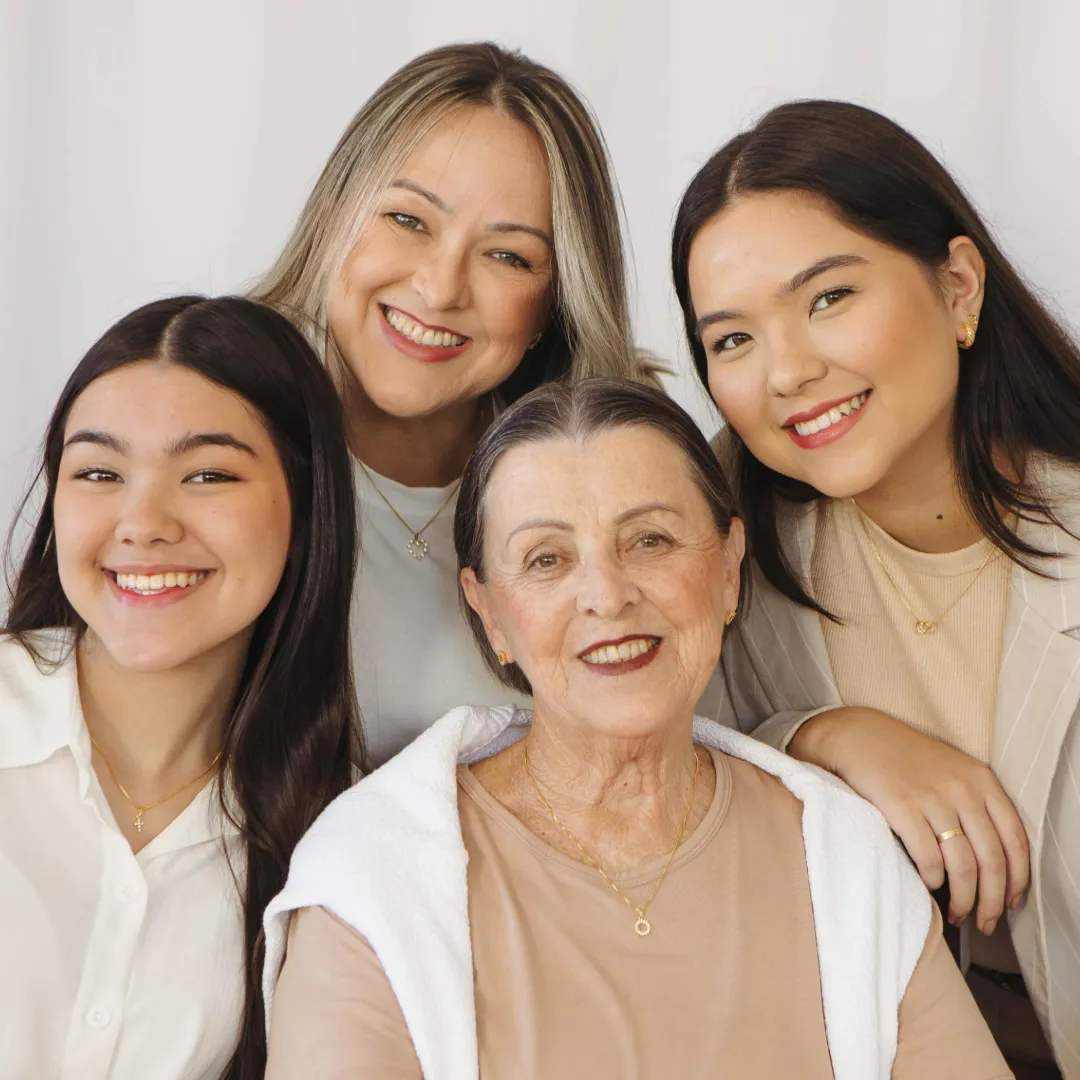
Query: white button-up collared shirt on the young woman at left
{"x": 113, "y": 965}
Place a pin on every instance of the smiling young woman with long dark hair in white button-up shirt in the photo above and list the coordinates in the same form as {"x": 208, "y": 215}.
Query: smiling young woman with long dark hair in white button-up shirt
{"x": 174, "y": 690}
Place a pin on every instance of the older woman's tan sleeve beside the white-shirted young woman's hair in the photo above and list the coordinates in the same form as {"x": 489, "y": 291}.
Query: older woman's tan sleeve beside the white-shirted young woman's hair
{"x": 335, "y": 1016}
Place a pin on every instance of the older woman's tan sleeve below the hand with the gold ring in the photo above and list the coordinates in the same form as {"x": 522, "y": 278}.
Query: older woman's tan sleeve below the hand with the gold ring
{"x": 942, "y": 1033}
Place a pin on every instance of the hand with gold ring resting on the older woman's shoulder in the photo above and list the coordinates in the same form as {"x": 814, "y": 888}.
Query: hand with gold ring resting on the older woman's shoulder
{"x": 925, "y": 788}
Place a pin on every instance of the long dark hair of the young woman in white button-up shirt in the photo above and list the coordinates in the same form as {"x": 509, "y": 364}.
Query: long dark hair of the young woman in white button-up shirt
{"x": 292, "y": 735}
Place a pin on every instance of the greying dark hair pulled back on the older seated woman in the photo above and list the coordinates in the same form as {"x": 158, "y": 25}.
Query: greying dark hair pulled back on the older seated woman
{"x": 576, "y": 411}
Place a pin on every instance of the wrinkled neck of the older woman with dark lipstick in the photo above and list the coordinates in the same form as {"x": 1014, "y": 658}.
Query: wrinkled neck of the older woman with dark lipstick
{"x": 625, "y": 800}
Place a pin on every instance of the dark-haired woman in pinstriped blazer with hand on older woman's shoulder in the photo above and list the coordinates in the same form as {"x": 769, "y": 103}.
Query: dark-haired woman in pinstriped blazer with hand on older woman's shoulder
{"x": 902, "y": 426}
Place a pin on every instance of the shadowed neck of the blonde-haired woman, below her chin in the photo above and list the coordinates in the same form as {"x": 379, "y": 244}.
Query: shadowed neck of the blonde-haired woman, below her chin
{"x": 418, "y": 452}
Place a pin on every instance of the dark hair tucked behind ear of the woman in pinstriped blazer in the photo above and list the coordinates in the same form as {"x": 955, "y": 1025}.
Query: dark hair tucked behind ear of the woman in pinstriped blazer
{"x": 1019, "y": 388}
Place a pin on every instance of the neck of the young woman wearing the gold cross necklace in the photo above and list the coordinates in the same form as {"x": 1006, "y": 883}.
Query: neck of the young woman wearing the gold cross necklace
{"x": 160, "y": 730}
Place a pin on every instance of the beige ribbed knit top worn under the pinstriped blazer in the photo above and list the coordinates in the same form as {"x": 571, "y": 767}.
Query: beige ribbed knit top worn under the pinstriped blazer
{"x": 943, "y": 684}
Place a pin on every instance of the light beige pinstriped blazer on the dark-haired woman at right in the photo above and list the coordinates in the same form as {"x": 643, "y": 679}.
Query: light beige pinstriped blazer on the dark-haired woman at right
{"x": 775, "y": 673}
